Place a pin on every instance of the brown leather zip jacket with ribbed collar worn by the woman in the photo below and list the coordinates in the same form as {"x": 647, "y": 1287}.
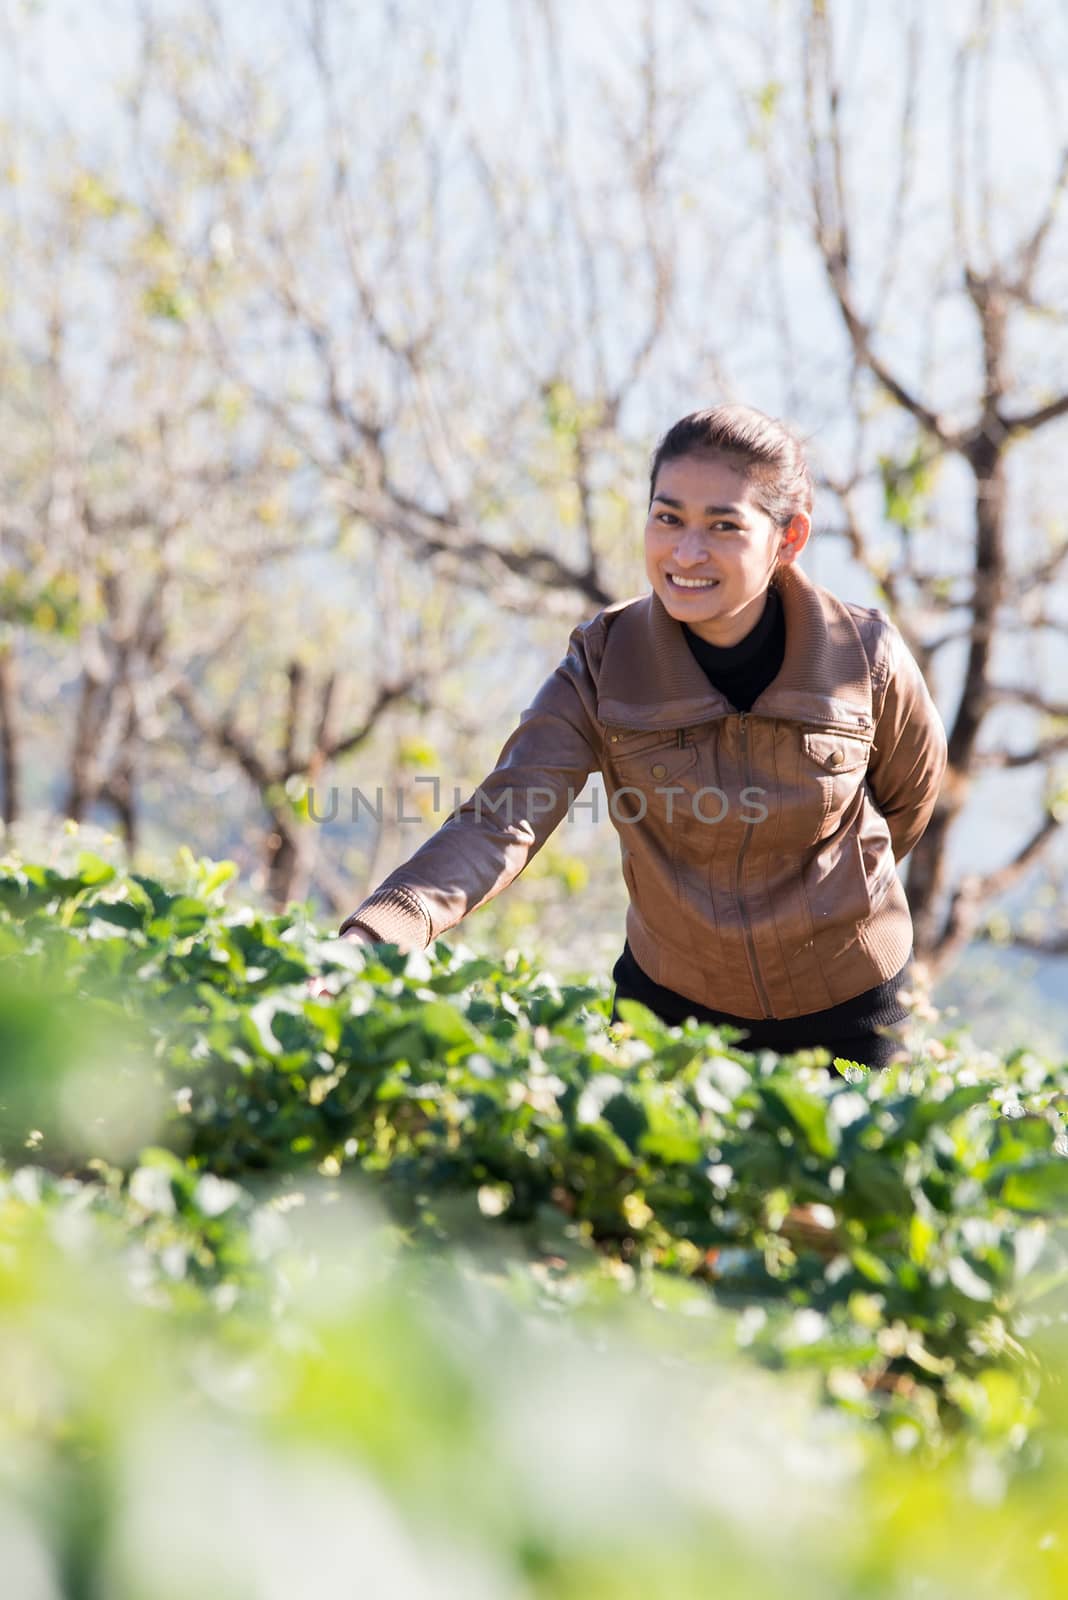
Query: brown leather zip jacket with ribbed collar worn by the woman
{"x": 759, "y": 847}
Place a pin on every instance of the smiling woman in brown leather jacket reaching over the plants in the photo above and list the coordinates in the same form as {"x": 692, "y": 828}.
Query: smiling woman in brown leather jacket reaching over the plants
{"x": 770, "y": 754}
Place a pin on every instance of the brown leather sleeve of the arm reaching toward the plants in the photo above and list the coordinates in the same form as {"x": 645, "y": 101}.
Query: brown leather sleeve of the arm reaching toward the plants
{"x": 484, "y": 846}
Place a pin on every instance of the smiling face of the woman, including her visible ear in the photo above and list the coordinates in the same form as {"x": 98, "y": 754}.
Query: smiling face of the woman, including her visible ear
{"x": 704, "y": 524}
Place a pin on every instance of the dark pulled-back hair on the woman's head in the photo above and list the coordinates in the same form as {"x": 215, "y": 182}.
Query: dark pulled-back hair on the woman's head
{"x": 762, "y": 447}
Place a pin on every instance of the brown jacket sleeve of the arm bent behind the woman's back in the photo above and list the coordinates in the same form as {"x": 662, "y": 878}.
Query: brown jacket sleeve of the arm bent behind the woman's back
{"x": 909, "y": 754}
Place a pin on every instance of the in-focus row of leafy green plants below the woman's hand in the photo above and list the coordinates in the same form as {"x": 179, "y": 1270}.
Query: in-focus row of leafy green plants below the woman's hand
{"x": 901, "y": 1234}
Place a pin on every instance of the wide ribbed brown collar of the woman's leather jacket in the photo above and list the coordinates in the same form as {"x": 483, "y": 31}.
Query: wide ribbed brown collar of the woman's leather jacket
{"x": 650, "y": 679}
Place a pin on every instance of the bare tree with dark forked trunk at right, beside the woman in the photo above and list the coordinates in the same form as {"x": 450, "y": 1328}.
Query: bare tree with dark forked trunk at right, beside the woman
{"x": 998, "y": 282}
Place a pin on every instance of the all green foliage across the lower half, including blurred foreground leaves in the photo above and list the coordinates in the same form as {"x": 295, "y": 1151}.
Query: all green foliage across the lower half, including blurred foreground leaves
{"x": 445, "y": 1273}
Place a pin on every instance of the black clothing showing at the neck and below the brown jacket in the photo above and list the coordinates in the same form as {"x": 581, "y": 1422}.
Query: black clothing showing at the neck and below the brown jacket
{"x": 741, "y": 673}
